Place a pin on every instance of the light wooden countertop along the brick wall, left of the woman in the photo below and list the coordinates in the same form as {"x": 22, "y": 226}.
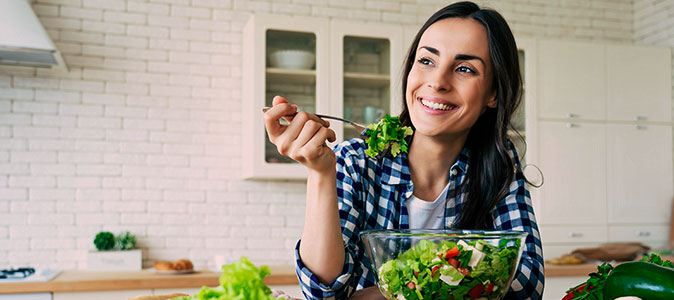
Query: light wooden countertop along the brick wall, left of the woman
{"x": 81, "y": 281}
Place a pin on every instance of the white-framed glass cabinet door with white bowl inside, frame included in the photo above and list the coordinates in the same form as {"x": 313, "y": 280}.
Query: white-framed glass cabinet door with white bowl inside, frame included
{"x": 286, "y": 56}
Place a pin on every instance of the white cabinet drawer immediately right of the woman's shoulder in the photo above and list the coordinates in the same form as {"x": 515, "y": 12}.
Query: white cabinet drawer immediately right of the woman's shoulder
{"x": 573, "y": 234}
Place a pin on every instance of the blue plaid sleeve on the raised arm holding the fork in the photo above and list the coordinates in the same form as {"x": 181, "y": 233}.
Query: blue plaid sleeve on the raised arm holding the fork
{"x": 348, "y": 190}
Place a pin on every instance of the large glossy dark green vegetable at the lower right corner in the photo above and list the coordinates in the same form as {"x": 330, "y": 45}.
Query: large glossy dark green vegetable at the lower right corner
{"x": 640, "y": 279}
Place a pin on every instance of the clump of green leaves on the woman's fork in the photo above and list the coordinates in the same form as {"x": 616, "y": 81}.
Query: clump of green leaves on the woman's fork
{"x": 387, "y": 133}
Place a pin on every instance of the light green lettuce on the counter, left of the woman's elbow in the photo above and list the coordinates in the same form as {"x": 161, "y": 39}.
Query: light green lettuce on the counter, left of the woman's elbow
{"x": 239, "y": 281}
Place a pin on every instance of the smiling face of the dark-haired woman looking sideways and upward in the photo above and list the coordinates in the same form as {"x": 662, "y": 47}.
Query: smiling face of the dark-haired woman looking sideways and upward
{"x": 450, "y": 83}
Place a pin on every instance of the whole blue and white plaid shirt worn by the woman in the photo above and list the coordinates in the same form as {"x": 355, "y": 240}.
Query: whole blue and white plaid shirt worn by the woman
{"x": 372, "y": 195}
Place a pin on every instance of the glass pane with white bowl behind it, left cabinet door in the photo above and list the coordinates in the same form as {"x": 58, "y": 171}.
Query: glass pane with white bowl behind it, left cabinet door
{"x": 291, "y": 73}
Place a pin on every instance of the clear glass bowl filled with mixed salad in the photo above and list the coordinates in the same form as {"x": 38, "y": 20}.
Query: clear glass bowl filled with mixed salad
{"x": 441, "y": 264}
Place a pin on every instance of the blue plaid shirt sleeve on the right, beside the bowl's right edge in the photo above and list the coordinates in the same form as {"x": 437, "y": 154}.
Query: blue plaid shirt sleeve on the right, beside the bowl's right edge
{"x": 516, "y": 213}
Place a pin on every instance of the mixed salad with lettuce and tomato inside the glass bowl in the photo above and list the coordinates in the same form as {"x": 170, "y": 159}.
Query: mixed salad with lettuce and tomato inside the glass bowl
{"x": 449, "y": 270}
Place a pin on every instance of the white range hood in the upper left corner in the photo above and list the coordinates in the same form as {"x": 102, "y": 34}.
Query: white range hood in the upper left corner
{"x": 23, "y": 40}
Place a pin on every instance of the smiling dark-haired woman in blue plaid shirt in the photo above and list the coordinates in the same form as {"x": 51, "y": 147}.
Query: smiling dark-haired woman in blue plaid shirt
{"x": 461, "y": 84}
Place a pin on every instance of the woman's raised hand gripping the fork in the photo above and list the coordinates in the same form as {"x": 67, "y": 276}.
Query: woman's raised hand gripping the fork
{"x": 304, "y": 139}
